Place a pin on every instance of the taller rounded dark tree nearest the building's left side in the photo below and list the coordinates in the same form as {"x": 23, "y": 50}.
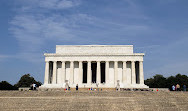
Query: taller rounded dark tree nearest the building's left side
{"x": 26, "y": 81}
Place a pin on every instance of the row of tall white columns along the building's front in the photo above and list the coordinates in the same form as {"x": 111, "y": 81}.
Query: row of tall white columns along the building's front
{"x": 61, "y": 77}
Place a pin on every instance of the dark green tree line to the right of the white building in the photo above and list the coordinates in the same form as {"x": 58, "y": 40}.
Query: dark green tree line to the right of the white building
{"x": 159, "y": 81}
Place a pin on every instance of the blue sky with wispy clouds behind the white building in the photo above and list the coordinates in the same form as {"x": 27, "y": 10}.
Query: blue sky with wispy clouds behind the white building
{"x": 28, "y": 28}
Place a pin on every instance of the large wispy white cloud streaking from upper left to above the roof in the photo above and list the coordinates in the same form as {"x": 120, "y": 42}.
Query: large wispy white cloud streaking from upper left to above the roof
{"x": 36, "y": 24}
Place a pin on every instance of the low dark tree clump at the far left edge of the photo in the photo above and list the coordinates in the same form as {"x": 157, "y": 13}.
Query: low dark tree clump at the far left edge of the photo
{"x": 4, "y": 85}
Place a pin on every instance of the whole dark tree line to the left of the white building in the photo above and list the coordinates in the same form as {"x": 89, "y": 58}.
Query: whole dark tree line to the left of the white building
{"x": 25, "y": 81}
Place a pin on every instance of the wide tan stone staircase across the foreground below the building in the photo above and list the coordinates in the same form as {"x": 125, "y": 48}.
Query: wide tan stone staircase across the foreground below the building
{"x": 94, "y": 100}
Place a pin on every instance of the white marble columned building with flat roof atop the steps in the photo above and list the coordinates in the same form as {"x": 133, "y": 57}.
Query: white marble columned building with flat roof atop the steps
{"x": 104, "y": 66}
